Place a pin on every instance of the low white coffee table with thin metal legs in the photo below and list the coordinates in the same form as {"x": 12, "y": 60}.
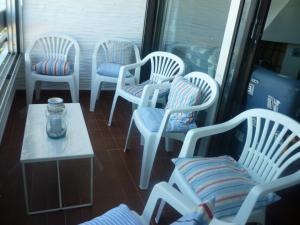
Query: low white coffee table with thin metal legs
{"x": 38, "y": 147}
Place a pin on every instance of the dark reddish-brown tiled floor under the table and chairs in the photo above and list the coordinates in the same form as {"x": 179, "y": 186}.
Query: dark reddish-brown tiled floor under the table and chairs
{"x": 116, "y": 173}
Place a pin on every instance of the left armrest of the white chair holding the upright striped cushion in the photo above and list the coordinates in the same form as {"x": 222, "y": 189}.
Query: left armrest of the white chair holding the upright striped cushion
{"x": 150, "y": 94}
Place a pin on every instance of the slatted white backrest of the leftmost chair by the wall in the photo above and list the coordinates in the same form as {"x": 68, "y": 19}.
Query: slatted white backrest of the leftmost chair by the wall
{"x": 57, "y": 46}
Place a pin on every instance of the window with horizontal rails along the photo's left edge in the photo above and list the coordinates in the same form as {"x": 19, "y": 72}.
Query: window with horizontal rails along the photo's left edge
{"x": 9, "y": 54}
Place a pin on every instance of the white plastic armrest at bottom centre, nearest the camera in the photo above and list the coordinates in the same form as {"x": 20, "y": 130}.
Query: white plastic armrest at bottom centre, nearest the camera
{"x": 169, "y": 194}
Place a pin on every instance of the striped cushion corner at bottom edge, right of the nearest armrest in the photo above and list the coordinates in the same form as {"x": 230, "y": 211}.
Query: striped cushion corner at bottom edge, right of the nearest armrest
{"x": 202, "y": 216}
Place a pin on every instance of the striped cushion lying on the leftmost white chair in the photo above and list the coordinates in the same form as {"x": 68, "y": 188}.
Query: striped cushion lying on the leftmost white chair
{"x": 53, "y": 67}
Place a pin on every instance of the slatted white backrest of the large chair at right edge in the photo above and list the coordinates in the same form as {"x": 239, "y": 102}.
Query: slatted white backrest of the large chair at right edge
{"x": 272, "y": 144}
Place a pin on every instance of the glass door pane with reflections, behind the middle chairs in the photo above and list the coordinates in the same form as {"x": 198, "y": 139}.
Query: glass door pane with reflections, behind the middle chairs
{"x": 193, "y": 30}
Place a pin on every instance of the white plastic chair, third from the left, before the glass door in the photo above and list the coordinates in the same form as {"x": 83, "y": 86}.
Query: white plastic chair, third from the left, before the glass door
{"x": 164, "y": 67}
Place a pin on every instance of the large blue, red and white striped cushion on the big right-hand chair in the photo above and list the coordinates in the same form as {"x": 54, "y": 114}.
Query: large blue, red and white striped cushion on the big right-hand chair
{"x": 222, "y": 179}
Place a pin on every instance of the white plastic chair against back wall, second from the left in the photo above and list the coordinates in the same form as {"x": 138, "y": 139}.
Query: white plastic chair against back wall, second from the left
{"x": 101, "y": 54}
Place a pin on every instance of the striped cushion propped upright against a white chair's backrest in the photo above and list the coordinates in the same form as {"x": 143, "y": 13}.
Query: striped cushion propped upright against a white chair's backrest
{"x": 183, "y": 94}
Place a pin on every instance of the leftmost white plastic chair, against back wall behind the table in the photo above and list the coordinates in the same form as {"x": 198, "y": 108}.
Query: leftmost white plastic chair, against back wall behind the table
{"x": 52, "y": 47}
